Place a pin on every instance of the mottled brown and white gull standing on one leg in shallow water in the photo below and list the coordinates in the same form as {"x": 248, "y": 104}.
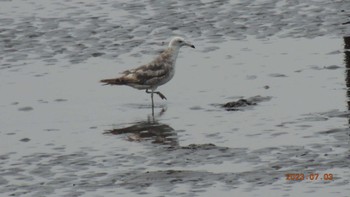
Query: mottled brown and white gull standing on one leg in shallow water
{"x": 156, "y": 73}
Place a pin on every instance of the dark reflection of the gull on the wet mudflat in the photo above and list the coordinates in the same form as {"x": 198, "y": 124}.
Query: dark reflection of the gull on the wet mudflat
{"x": 149, "y": 130}
